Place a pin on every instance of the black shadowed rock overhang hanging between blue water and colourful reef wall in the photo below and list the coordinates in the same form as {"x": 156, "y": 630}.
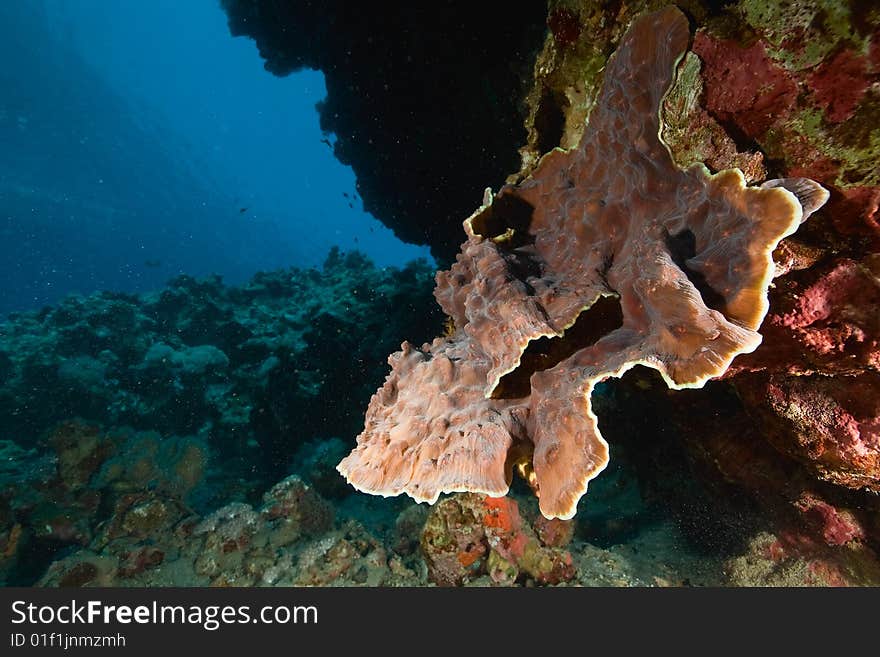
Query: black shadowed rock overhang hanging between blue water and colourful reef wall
{"x": 424, "y": 99}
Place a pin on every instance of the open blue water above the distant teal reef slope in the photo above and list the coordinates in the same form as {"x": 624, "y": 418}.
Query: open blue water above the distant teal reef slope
{"x": 138, "y": 140}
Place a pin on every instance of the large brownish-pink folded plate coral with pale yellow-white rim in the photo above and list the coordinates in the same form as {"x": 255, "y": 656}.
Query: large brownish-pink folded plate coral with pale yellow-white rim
{"x": 606, "y": 257}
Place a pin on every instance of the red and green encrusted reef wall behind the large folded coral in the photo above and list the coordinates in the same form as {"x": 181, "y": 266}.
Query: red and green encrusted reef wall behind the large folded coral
{"x": 778, "y": 89}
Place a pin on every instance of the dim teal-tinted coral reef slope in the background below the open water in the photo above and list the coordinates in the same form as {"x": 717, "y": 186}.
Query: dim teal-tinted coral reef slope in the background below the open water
{"x": 200, "y": 389}
